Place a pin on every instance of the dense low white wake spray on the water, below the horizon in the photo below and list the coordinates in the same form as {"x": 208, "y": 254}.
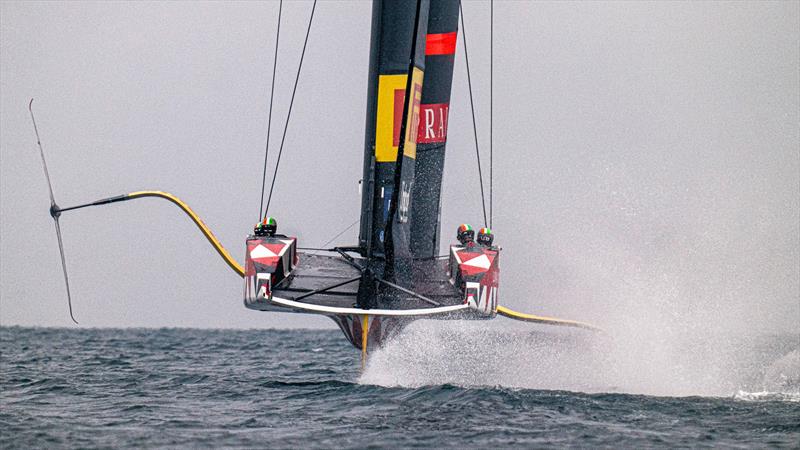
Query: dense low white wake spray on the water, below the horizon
{"x": 498, "y": 353}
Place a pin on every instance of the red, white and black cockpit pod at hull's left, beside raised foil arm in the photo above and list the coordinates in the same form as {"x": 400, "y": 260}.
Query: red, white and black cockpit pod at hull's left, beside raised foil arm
{"x": 270, "y": 260}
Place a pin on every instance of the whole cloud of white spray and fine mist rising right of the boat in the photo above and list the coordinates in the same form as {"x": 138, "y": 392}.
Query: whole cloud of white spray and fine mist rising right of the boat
{"x": 689, "y": 309}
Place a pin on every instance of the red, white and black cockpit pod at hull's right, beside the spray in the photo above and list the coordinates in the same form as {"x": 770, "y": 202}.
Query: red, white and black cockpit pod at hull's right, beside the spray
{"x": 474, "y": 271}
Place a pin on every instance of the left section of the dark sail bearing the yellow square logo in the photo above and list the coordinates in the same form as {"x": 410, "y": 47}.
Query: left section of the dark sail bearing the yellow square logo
{"x": 393, "y": 26}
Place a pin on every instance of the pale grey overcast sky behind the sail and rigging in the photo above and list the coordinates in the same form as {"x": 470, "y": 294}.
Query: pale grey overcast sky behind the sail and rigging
{"x": 646, "y": 155}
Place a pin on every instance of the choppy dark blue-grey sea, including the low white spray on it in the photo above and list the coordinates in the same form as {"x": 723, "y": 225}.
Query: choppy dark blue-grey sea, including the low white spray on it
{"x": 436, "y": 385}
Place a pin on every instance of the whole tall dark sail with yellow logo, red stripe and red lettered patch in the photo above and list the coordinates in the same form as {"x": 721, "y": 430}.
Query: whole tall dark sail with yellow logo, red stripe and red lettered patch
{"x": 406, "y": 135}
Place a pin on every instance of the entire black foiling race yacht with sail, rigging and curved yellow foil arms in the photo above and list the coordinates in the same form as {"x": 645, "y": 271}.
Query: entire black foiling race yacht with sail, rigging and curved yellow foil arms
{"x": 394, "y": 274}
